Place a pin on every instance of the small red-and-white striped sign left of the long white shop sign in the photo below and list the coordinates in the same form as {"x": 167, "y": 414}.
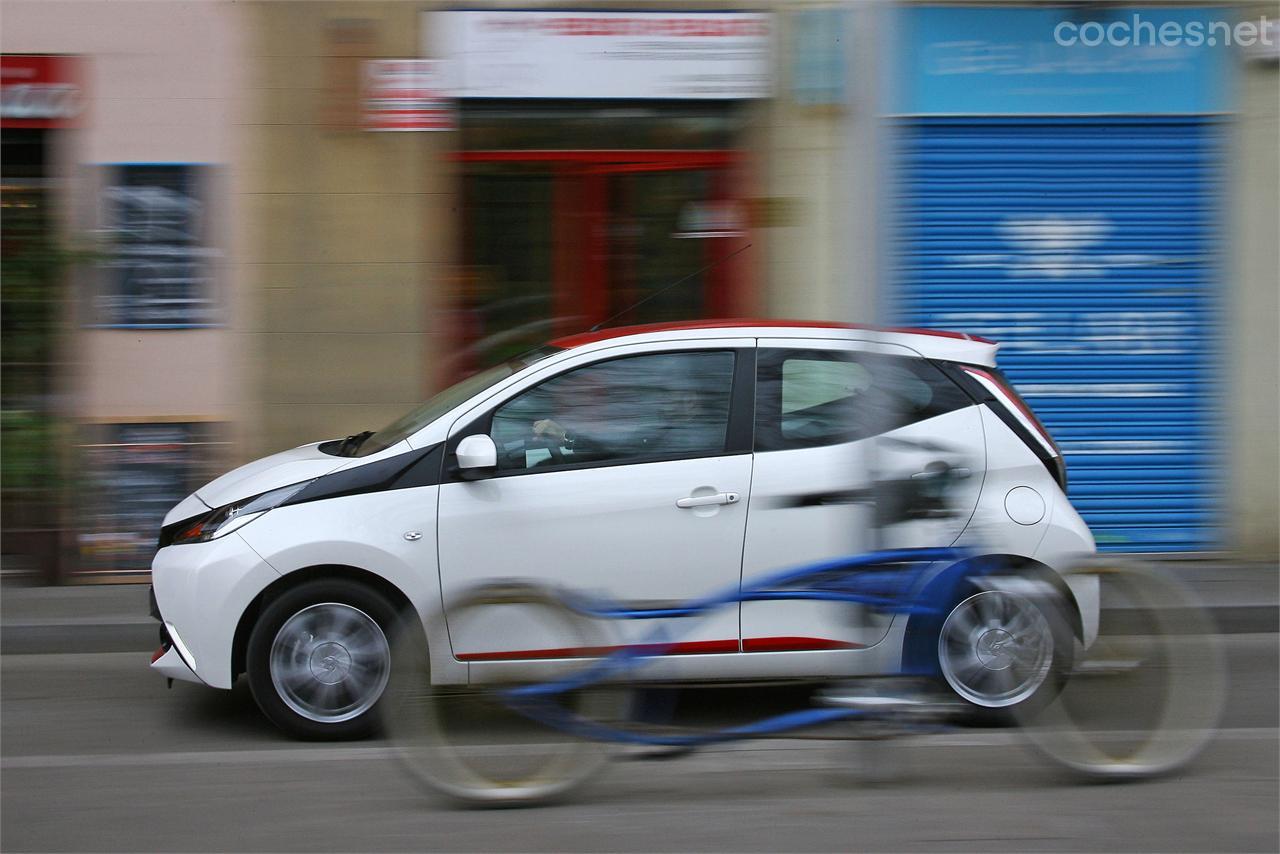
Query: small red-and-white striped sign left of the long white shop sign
{"x": 406, "y": 95}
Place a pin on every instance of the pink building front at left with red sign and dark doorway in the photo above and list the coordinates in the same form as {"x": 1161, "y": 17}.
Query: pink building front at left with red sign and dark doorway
{"x": 121, "y": 126}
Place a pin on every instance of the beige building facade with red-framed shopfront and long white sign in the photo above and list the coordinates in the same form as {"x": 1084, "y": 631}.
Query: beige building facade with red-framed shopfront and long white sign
{"x": 557, "y": 191}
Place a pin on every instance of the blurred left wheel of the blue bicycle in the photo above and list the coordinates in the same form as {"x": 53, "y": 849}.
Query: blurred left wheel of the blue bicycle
{"x": 464, "y": 742}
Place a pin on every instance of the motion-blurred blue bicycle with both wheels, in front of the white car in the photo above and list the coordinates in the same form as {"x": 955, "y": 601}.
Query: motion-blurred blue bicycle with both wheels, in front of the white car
{"x": 1177, "y": 720}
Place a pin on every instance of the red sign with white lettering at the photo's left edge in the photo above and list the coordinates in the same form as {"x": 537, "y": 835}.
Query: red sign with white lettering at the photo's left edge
{"x": 40, "y": 92}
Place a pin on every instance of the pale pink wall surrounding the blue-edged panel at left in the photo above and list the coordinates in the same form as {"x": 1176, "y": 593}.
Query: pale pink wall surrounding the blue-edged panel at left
{"x": 164, "y": 85}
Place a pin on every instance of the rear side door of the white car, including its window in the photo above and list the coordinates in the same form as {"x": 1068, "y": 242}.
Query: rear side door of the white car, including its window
{"x": 840, "y": 427}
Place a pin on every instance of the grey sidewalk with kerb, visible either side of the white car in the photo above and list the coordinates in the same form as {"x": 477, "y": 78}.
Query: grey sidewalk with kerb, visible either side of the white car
{"x": 113, "y": 618}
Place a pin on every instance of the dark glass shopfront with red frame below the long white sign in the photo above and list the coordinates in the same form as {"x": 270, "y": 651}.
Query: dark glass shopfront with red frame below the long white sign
{"x": 579, "y": 213}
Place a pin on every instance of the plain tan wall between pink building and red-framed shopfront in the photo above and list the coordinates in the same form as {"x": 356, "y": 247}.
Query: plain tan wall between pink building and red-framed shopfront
{"x": 353, "y": 231}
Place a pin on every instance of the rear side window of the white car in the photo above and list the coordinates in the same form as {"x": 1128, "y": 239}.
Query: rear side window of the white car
{"x": 816, "y": 398}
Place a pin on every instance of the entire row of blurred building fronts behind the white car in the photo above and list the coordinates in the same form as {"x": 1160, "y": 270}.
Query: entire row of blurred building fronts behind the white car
{"x": 286, "y": 222}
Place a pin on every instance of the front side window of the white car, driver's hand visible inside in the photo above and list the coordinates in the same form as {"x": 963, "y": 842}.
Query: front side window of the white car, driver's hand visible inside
{"x": 636, "y": 409}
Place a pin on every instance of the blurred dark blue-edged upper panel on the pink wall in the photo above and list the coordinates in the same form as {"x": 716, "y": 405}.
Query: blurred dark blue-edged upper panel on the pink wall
{"x": 162, "y": 255}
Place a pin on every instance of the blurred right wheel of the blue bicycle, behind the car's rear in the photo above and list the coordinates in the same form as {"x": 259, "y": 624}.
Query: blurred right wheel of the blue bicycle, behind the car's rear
{"x": 1148, "y": 695}
